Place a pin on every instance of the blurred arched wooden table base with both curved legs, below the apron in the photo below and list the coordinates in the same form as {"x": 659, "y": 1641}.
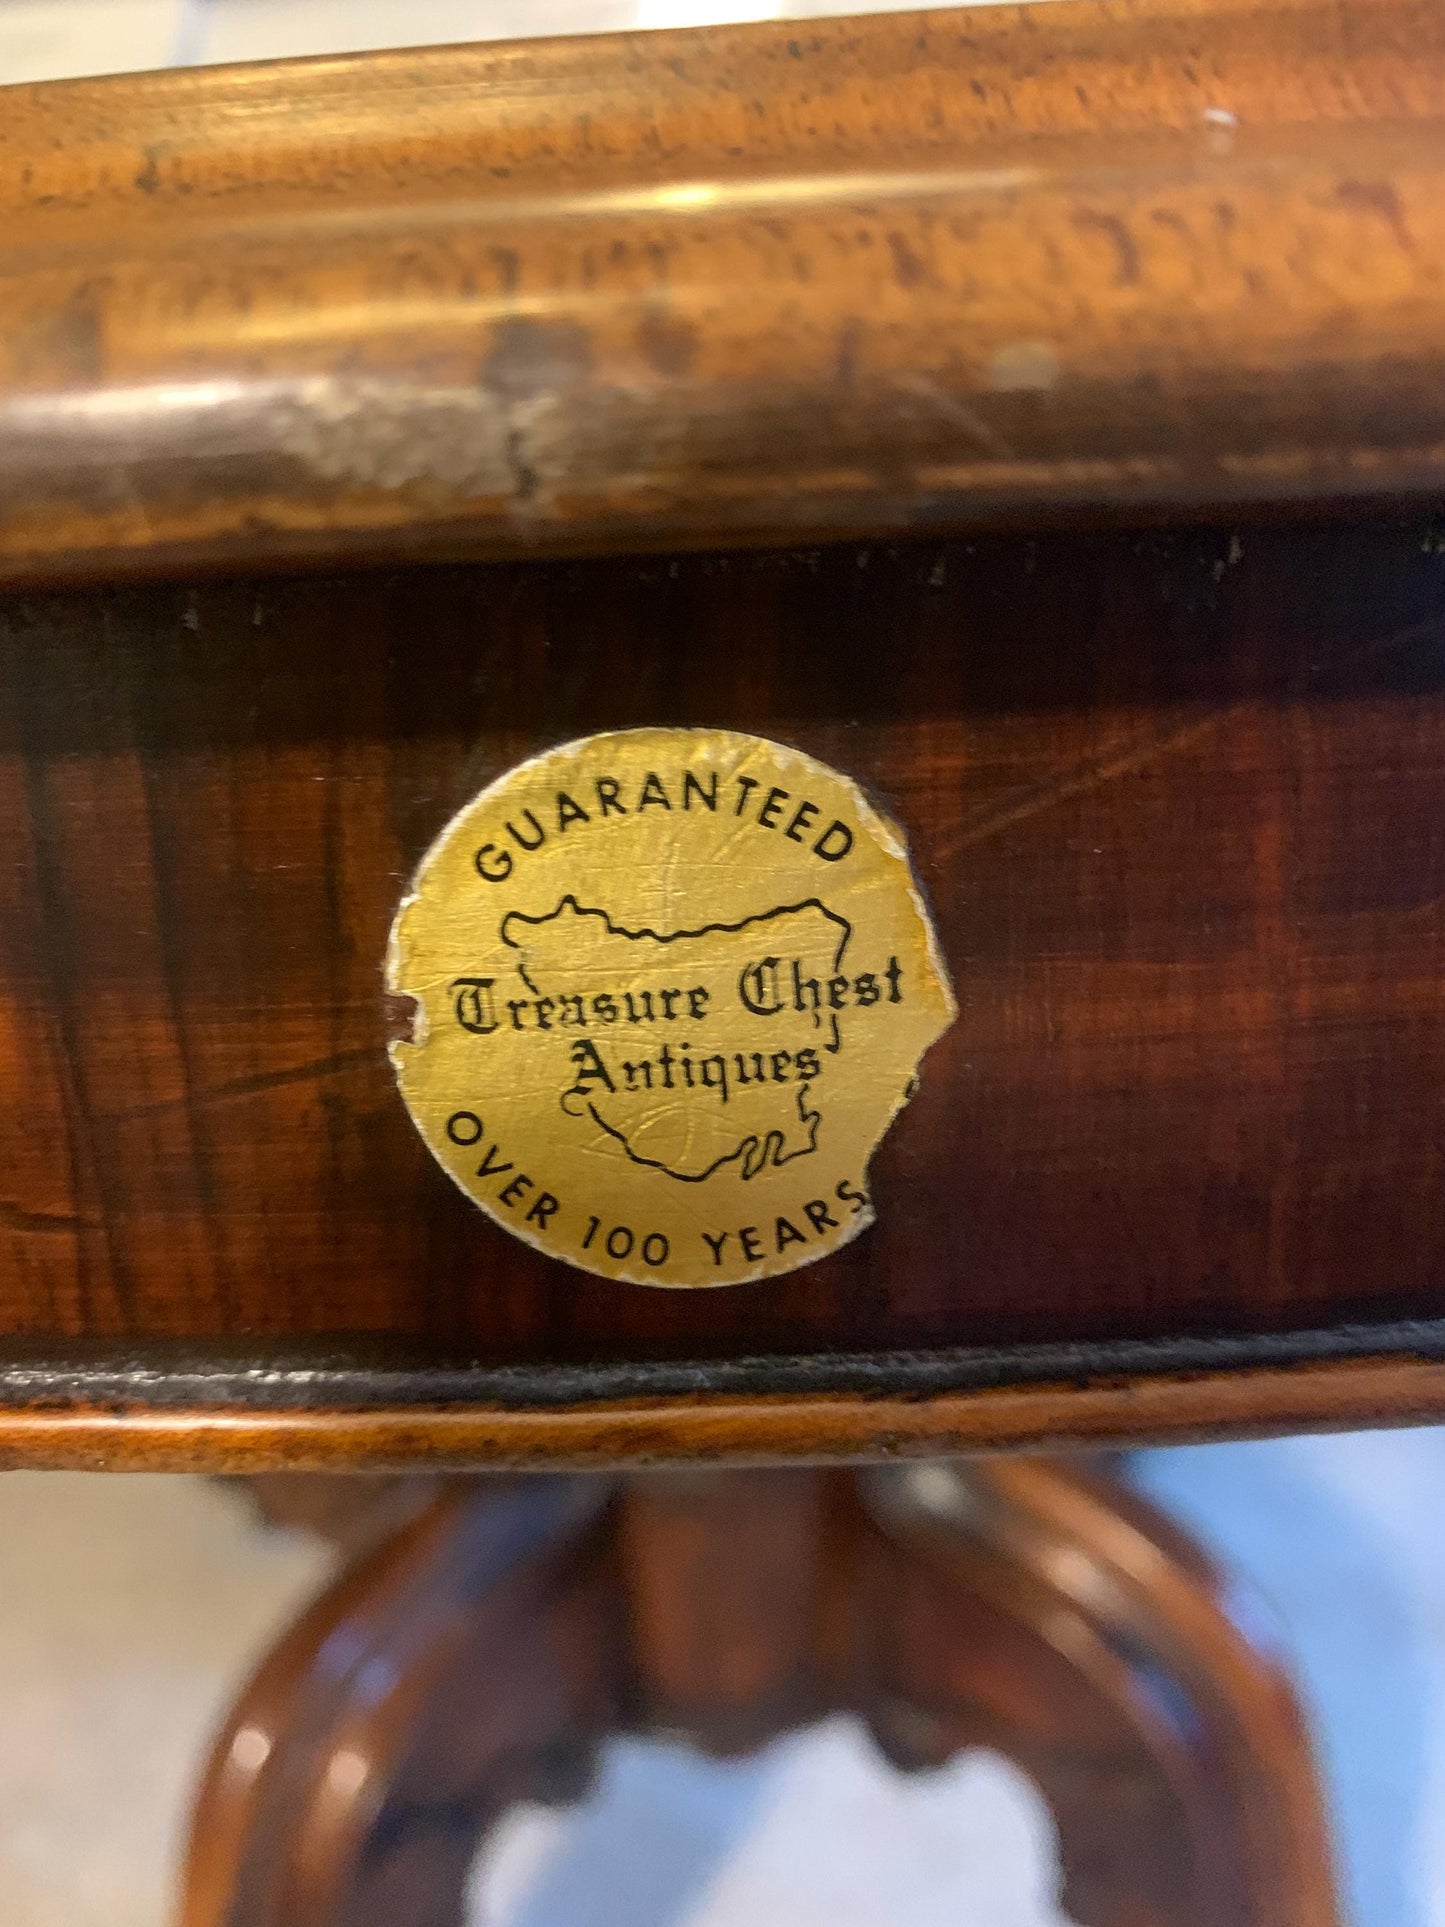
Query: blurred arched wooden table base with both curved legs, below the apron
{"x": 486, "y": 1650}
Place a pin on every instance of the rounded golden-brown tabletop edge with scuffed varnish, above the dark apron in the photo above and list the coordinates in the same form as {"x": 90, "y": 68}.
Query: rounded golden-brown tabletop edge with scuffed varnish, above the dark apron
{"x": 754, "y": 282}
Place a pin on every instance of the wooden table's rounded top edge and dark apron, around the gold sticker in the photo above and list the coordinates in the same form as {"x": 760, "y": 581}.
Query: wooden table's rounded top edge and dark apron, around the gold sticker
{"x": 1036, "y": 415}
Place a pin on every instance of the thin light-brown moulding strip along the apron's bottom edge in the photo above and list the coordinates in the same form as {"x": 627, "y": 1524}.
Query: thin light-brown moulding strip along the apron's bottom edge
{"x": 731, "y": 1431}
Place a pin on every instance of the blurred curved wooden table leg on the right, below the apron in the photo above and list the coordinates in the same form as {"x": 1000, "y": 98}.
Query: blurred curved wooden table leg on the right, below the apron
{"x": 1051, "y": 1614}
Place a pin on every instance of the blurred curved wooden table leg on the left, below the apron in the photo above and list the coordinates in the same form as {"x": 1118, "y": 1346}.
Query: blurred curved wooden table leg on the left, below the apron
{"x": 465, "y": 1664}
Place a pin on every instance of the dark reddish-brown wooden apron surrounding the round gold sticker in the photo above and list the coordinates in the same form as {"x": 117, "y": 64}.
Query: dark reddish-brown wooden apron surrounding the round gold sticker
{"x": 1178, "y": 806}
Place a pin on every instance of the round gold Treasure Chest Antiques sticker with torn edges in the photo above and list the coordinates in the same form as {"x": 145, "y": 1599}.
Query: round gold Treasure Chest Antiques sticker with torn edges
{"x": 671, "y": 988}
